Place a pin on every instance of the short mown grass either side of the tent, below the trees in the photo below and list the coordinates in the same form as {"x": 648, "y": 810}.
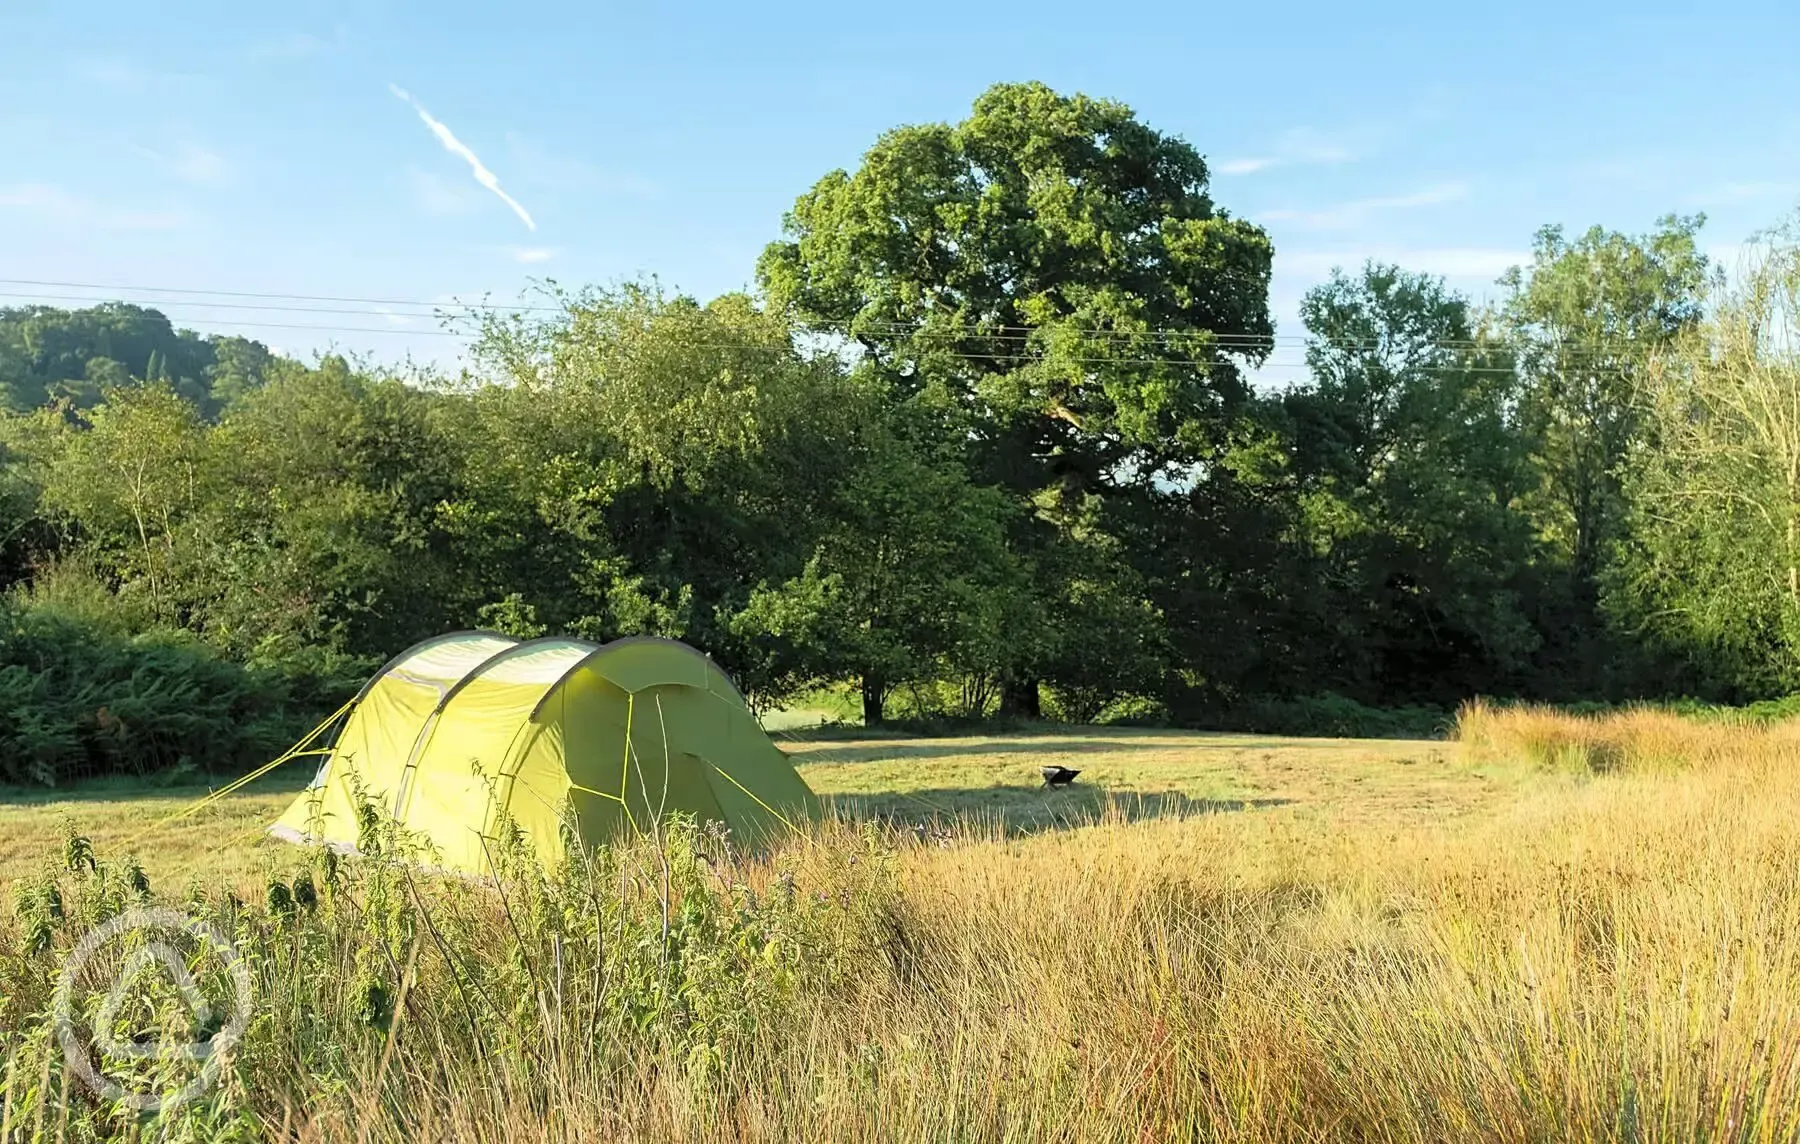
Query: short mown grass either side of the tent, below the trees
{"x": 989, "y": 783}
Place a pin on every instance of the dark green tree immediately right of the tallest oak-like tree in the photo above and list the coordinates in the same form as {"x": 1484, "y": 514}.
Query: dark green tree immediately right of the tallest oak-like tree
{"x": 1410, "y": 465}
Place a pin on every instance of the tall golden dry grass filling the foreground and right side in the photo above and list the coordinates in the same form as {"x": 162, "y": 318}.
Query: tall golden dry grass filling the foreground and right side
{"x": 1608, "y": 958}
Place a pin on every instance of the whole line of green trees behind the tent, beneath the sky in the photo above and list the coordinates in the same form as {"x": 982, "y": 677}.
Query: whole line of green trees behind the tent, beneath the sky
{"x": 985, "y": 440}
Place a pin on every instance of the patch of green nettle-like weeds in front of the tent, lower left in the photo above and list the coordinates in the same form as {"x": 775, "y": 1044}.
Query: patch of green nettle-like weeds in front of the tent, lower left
{"x": 373, "y": 972}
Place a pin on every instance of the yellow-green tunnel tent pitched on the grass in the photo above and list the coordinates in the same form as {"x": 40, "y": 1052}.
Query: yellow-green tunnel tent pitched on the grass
{"x": 568, "y": 742}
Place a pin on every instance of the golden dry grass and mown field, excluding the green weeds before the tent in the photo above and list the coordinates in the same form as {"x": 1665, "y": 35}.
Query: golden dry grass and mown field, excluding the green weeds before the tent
{"x": 1556, "y": 929}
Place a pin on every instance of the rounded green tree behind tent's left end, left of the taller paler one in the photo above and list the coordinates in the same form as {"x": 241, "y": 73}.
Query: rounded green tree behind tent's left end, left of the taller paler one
{"x": 327, "y": 521}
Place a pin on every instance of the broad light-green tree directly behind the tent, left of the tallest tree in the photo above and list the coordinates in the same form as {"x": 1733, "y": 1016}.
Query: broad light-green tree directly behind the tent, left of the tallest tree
{"x": 643, "y": 461}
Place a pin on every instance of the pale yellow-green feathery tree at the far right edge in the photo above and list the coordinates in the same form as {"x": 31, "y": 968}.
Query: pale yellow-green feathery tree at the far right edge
{"x": 1711, "y": 569}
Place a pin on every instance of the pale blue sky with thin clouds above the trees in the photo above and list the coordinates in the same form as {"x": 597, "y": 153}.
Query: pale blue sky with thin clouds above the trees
{"x": 269, "y": 148}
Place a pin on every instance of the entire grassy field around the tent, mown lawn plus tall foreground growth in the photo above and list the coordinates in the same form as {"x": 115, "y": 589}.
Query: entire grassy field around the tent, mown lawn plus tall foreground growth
{"x": 1551, "y": 931}
